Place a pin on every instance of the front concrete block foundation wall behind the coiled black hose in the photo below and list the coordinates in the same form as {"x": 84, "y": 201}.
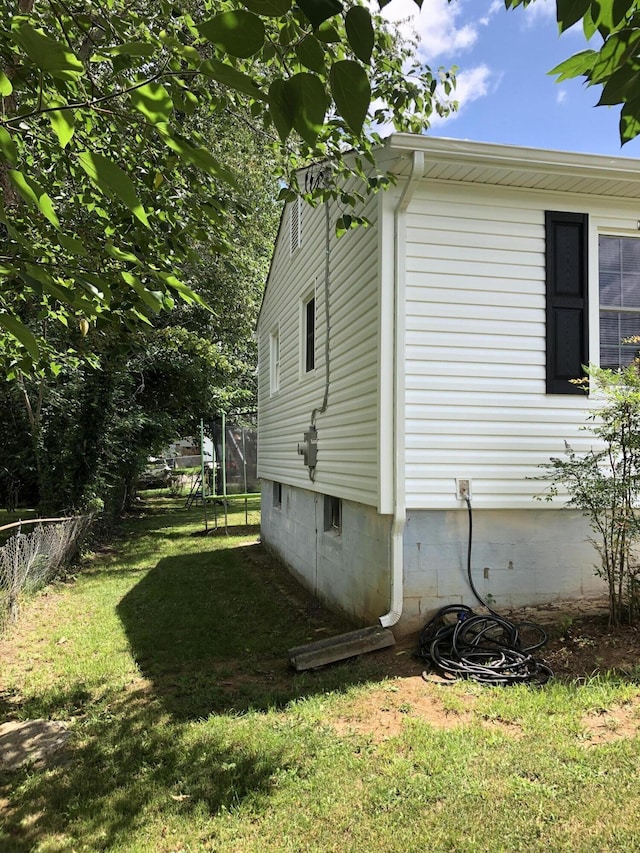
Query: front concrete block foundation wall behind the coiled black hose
{"x": 519, "y": 558}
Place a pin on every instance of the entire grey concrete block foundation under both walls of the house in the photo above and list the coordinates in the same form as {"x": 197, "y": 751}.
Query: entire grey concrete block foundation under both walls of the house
{"x": 519, "y": 557}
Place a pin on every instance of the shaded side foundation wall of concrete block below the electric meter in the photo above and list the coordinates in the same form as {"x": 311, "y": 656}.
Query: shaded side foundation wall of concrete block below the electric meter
{"x": 348, "y": 571}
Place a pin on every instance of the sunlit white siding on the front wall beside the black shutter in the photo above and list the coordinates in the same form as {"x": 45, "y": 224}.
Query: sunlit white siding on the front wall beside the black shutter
{"x": 476, "y": 405}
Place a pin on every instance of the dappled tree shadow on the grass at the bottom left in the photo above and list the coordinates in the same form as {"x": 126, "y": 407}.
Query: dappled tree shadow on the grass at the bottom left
{"x": 125, "y": 766}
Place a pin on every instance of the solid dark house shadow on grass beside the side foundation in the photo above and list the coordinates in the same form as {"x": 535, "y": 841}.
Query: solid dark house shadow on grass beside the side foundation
{"x": 211, "y": 632}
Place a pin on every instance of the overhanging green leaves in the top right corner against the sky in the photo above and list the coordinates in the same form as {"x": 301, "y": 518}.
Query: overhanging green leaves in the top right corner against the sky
{"x": 614, "y": 64}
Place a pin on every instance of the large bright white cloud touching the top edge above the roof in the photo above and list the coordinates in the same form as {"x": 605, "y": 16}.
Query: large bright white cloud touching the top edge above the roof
{"x": 436, "y": 25}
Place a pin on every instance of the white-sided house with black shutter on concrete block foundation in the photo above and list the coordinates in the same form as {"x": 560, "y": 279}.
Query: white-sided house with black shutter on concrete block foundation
{"x": 433, "y": 347}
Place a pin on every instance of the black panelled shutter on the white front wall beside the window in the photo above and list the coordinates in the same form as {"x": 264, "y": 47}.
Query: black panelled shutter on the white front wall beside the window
{"x": 567, "y": 297}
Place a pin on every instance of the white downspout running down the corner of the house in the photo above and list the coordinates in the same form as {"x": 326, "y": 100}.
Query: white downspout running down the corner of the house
{"x": 399, "y": 426}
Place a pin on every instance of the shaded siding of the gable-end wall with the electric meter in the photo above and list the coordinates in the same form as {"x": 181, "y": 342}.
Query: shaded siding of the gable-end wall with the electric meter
{"x": 347, "y": 431}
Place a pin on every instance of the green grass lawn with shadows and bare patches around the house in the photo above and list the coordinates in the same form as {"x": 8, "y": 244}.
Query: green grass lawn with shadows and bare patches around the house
{"x": 167, "y": 655}
